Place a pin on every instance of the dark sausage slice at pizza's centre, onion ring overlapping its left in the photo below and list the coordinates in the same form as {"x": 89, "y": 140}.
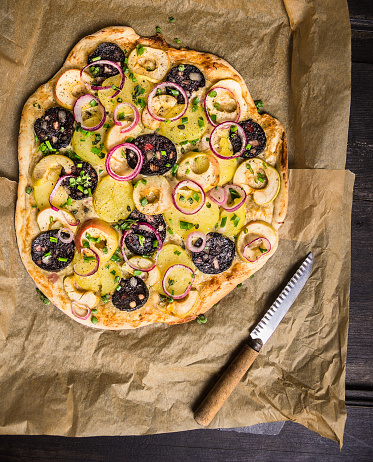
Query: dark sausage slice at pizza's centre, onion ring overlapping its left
{"x": 159, "y": 154}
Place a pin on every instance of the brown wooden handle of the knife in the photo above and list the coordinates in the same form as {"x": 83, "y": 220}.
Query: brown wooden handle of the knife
{"x": 226, "y": 384}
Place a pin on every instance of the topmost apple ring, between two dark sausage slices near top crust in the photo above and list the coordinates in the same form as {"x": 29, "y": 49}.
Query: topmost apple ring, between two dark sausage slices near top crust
{"x": 151, "y": 63}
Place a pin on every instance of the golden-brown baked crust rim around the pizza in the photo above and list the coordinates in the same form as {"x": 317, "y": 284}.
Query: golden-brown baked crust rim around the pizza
{"x": 213, "y": 288}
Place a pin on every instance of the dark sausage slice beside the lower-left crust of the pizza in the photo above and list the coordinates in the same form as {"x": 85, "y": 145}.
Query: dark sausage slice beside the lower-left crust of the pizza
{"x": 49, "y": 253}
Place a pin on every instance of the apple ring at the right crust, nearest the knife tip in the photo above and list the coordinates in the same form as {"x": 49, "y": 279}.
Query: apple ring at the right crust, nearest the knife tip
{"x": 262, "y": 237}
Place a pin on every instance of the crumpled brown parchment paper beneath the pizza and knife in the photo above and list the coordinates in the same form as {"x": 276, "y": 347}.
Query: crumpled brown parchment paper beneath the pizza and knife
{"x": 58, "y": 377}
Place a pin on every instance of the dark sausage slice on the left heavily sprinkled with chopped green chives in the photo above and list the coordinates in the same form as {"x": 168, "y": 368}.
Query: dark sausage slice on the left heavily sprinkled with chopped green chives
{"x": 86, "y": 180}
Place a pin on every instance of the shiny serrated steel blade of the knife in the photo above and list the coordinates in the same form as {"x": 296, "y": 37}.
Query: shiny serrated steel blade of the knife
{"x": 269, "y": 322}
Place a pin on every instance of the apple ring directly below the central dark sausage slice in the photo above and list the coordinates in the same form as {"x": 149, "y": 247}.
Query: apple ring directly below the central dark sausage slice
{"x": 153, "y": 195}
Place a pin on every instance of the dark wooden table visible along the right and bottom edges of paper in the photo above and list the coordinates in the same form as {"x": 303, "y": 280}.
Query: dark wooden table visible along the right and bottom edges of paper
{"x": 294, "y": 442}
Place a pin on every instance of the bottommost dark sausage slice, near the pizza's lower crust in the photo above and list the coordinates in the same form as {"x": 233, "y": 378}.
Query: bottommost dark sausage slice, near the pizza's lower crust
{"x": 132, "y": 295}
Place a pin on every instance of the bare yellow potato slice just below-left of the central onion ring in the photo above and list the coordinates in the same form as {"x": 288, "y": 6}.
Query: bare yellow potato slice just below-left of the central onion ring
{"x": 113, "y": 199}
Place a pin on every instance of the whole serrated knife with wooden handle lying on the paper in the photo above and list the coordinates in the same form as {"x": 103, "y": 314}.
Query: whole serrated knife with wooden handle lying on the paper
{"x": 258, "y": 337}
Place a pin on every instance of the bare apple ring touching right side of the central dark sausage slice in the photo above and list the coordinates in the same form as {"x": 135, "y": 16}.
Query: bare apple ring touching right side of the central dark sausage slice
{"x": 201, "y": 167}
